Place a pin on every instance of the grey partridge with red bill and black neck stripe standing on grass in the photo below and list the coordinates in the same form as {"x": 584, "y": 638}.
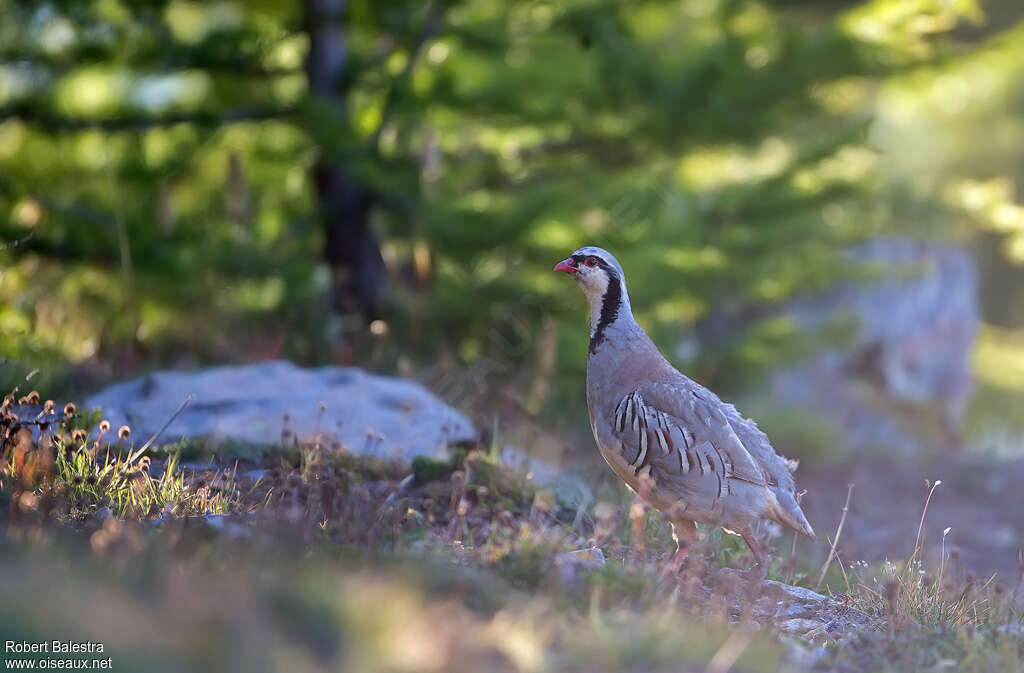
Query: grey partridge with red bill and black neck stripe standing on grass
{"x": 672, "y": 441}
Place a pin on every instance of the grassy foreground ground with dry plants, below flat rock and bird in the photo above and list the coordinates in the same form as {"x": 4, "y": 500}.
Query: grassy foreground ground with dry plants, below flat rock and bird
{"x": 365, "y": 565}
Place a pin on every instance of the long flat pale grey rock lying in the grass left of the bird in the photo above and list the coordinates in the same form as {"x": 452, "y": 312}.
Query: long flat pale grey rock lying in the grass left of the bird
{"x": 278, "y": 402}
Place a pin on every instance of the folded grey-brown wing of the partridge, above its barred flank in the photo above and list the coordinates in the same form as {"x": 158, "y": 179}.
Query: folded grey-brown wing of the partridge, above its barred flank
{"x": 687, "y": 444}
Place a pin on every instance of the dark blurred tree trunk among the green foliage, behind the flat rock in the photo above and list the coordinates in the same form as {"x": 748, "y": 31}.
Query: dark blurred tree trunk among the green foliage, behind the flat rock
{"x": 351, "y": 247}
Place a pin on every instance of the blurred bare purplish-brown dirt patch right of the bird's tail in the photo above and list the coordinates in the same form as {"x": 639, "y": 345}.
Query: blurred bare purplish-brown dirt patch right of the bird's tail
{"x": 980, "y": 500}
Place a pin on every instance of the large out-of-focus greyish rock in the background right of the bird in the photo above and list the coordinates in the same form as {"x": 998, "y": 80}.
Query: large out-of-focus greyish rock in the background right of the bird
{"x": 914, "y": 339}
